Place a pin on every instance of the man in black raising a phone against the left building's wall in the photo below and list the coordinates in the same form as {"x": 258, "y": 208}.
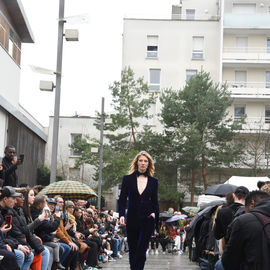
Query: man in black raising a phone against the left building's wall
{"x": 10, "y": 163}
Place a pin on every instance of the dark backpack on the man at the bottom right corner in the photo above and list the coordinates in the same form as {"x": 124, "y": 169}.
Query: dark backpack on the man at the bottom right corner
{"x": 265, "y": 221}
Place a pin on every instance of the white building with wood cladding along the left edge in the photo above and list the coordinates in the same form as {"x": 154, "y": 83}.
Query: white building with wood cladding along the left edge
{"x": 18, "y": 127}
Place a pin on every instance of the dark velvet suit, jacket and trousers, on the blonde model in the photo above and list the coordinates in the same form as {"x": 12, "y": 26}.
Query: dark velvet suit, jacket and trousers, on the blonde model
{"x": 140, "y": 225}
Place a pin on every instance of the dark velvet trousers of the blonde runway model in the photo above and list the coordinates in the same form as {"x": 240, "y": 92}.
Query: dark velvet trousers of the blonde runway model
{"x": 138, "y": 237}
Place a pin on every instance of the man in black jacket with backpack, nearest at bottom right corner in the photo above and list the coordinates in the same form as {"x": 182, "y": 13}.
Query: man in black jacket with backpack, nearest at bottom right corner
{"x": 244, "y": 249}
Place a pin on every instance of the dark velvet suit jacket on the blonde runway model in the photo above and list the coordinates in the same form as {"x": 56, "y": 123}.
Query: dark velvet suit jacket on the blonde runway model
{"x": 140, "y": 206}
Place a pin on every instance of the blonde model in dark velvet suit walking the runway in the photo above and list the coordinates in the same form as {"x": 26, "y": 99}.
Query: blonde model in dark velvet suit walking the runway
{"x": 141, "y": 189}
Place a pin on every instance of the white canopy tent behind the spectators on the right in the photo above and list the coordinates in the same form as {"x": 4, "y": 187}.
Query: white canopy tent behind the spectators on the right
{"x": 246, "y": 181}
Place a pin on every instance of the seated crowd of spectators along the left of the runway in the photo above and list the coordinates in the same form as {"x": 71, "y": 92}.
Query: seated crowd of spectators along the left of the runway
{"x": 42, "y": 233}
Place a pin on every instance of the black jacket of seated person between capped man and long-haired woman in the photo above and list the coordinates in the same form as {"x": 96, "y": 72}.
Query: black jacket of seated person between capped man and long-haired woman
{"x": 21, "y": 232}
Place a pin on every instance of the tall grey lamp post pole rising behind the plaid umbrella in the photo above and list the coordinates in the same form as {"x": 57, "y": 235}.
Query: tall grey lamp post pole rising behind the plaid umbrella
{"x": 57, "y": 90}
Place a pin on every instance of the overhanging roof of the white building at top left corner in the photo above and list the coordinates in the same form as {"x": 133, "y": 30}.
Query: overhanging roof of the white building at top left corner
{"x": 19, "y": 19}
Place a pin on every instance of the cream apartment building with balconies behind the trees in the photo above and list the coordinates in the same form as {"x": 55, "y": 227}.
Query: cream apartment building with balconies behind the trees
{"x": 228, "y": 38}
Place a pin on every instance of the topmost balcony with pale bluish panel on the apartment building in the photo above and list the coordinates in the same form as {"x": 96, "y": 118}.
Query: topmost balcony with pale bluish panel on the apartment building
{"x": 246, "y": 22}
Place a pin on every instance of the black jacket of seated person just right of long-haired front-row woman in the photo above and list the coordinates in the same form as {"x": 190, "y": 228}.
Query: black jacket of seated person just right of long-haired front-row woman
{"x": 45, "y": 229}
